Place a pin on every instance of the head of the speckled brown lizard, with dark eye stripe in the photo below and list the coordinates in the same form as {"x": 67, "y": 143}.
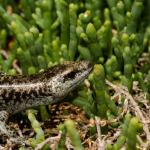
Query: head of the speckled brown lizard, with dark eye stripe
{"x": 69, "y": 75}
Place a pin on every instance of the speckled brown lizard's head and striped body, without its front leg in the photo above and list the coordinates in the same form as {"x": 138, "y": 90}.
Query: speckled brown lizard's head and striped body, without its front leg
{"x": 22, "y": 92}
